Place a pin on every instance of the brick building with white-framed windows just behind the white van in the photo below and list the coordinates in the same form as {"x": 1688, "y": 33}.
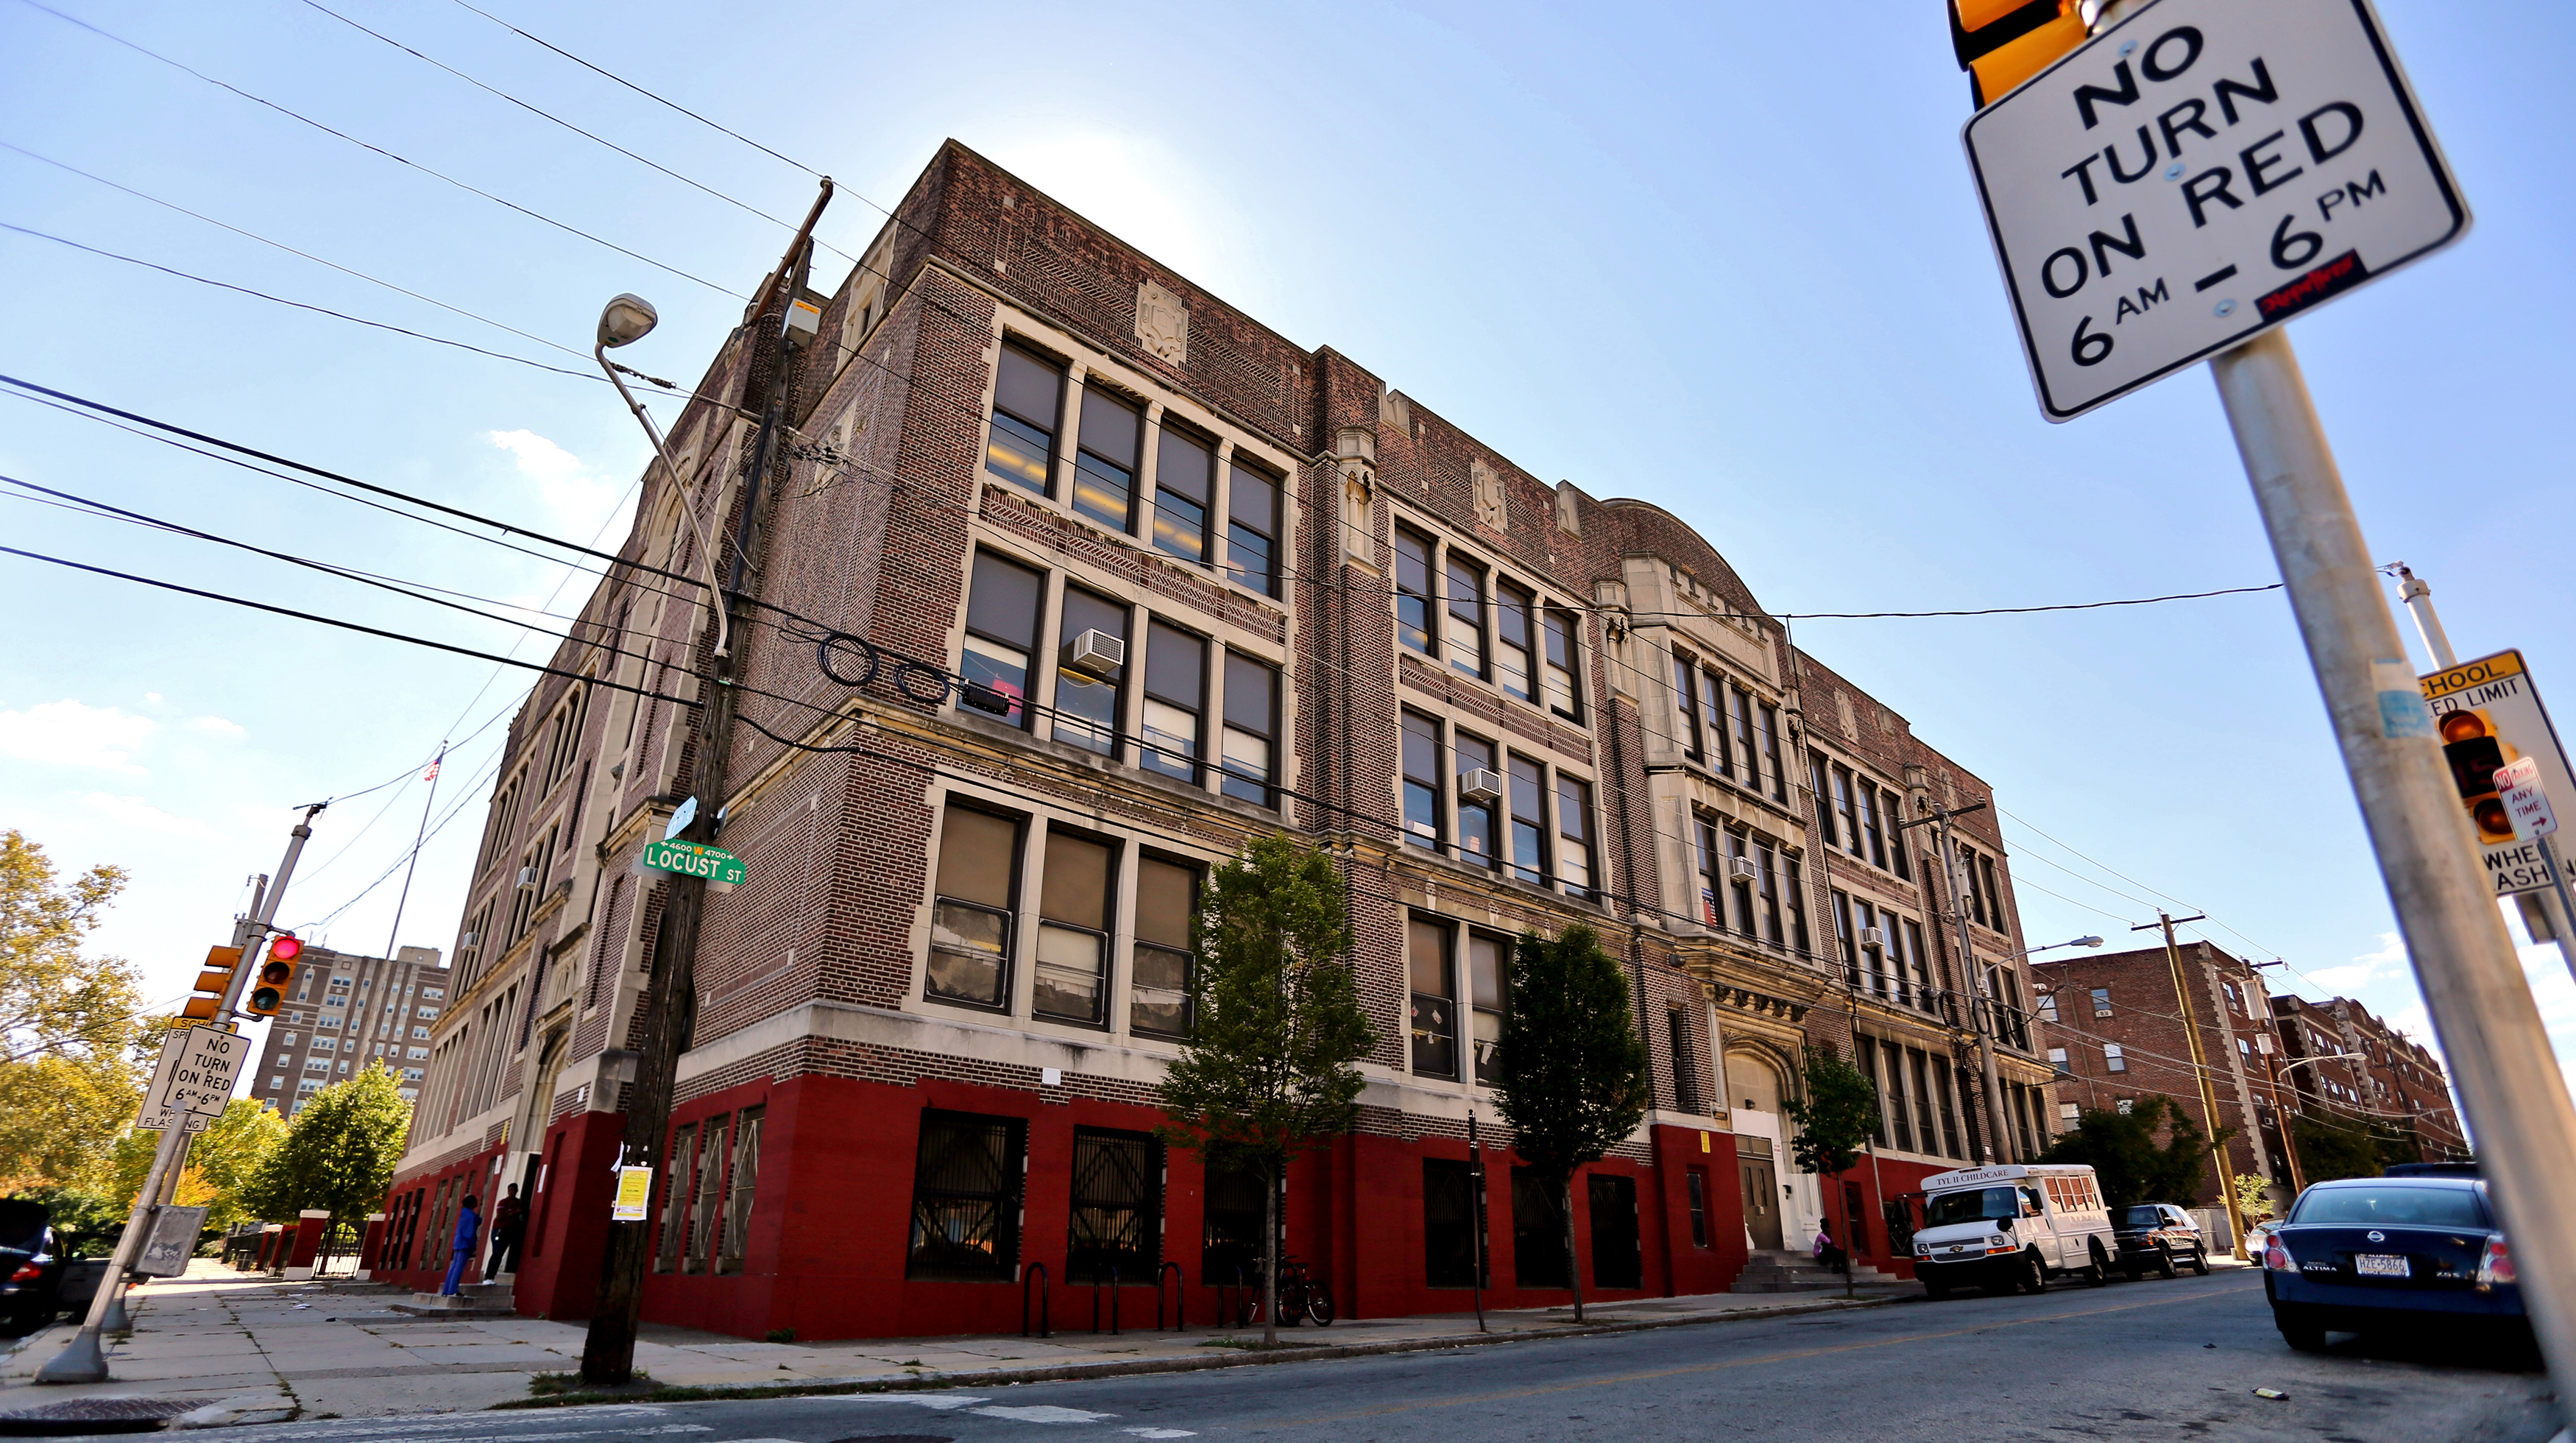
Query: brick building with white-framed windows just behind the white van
{"x": 2116, "y": 1035}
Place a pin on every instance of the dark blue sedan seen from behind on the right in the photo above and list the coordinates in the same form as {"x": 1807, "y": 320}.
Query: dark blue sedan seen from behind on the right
{"x": 2415, "y": 1254}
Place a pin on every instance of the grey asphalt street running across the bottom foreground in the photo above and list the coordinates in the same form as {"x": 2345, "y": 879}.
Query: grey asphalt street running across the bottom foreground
{"x": 2160, "y": 1359}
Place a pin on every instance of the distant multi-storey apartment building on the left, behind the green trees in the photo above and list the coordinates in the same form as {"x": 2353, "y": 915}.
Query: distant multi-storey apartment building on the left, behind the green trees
{"x": 346, "y": 1014}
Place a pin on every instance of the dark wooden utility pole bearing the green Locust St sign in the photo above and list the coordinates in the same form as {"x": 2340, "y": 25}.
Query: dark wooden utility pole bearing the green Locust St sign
{"x": 609, "y": 1349}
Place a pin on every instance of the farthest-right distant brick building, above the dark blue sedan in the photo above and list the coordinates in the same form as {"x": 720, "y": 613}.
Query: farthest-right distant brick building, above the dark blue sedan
{"x": 2387, "y": 1081}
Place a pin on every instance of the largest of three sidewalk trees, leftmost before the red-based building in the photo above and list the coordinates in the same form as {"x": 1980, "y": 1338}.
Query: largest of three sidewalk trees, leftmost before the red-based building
{"x": 1279, "y": 1027}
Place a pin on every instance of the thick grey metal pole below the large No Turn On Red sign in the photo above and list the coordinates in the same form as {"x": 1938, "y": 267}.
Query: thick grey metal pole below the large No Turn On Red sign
{"x": 2464, "y": 960}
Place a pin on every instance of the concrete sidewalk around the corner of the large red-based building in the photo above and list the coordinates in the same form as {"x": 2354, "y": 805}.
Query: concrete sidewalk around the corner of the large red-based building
{"x": 339, "y": 1352}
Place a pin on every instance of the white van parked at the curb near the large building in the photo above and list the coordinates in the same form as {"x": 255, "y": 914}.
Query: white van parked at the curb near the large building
{"x": 2013, "y": 1228}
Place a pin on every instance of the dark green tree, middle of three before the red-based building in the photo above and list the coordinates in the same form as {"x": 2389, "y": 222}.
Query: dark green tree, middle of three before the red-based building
{"x": 1570, "y": 1073}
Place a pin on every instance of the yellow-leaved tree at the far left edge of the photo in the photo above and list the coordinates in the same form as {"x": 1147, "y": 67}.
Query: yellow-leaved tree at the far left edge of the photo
{"x": 73, "y": 1045}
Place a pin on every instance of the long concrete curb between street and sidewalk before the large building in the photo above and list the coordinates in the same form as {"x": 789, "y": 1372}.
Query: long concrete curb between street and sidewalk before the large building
{"x": 1235, "y": 1359}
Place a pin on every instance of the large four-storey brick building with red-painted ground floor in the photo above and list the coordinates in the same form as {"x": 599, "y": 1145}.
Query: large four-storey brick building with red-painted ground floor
{"x": 1065, "y": 584}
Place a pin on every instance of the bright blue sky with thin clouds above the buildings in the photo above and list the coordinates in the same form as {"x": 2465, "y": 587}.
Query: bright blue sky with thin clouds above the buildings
{"x": 1722, "y": 259}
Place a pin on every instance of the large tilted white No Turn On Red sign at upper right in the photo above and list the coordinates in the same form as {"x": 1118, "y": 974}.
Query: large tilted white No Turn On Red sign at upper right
{"x": 2201, "y": 174}
